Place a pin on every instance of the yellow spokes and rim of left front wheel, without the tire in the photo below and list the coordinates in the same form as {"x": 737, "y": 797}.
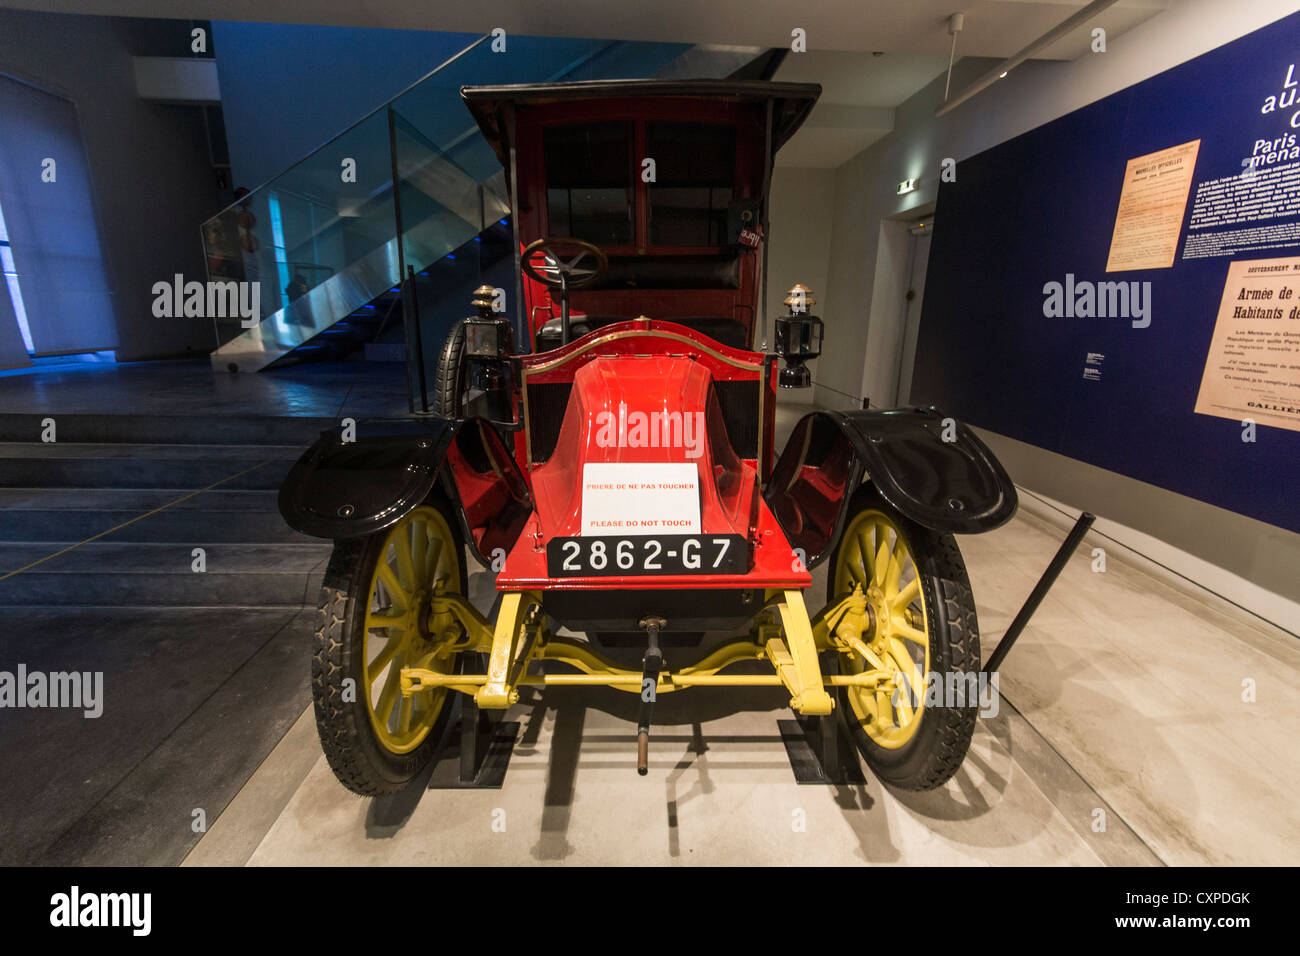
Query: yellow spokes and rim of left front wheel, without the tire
{"x": 418, "y": 553}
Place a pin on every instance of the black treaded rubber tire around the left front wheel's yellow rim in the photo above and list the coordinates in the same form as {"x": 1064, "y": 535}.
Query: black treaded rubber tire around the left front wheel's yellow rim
{"x": 358, "y": 759}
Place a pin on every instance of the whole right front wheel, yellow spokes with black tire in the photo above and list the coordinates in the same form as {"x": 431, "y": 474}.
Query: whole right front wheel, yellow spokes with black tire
{"x": 918, "y": 628}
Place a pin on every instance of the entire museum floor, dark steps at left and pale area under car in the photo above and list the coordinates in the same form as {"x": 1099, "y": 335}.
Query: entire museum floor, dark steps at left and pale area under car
{"x": 1124, "y": 738}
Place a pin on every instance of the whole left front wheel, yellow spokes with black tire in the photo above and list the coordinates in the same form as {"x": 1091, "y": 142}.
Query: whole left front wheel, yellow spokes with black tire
{"x": 376, "y": 620}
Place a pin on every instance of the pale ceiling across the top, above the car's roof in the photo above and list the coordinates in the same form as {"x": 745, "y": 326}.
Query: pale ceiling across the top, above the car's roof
{"x": 869, "y": 55}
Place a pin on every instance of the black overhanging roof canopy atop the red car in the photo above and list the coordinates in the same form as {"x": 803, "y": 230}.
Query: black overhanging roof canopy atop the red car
{"x": 489, "y": 105}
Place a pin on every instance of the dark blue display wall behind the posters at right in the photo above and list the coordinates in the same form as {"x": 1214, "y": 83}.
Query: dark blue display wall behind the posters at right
{"x": 1042, "y": 206}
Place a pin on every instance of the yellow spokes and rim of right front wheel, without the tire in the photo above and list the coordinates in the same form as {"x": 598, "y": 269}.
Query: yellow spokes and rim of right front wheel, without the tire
{"x": 876, "y": 560}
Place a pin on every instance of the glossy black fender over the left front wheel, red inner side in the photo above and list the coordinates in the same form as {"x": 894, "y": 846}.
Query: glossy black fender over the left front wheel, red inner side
{"x": 343, "y": 490}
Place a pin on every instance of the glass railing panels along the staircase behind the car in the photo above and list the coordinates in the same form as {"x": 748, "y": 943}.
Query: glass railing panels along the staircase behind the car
{"x": 413, "y": 187}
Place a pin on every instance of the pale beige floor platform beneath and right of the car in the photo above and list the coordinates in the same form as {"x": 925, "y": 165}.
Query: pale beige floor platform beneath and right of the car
{"x": 1124, "y": 739}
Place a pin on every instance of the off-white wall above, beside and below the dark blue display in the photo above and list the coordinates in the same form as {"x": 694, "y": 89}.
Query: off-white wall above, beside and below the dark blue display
{"x": 863, "y": 339}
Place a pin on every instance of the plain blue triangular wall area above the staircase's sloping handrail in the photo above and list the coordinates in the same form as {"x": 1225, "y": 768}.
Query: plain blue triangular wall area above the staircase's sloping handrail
{"x": 287, "y": 88}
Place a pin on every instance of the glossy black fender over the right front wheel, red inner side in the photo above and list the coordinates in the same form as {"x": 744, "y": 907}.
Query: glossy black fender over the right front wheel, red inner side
{"x": 931, "y": 468}
